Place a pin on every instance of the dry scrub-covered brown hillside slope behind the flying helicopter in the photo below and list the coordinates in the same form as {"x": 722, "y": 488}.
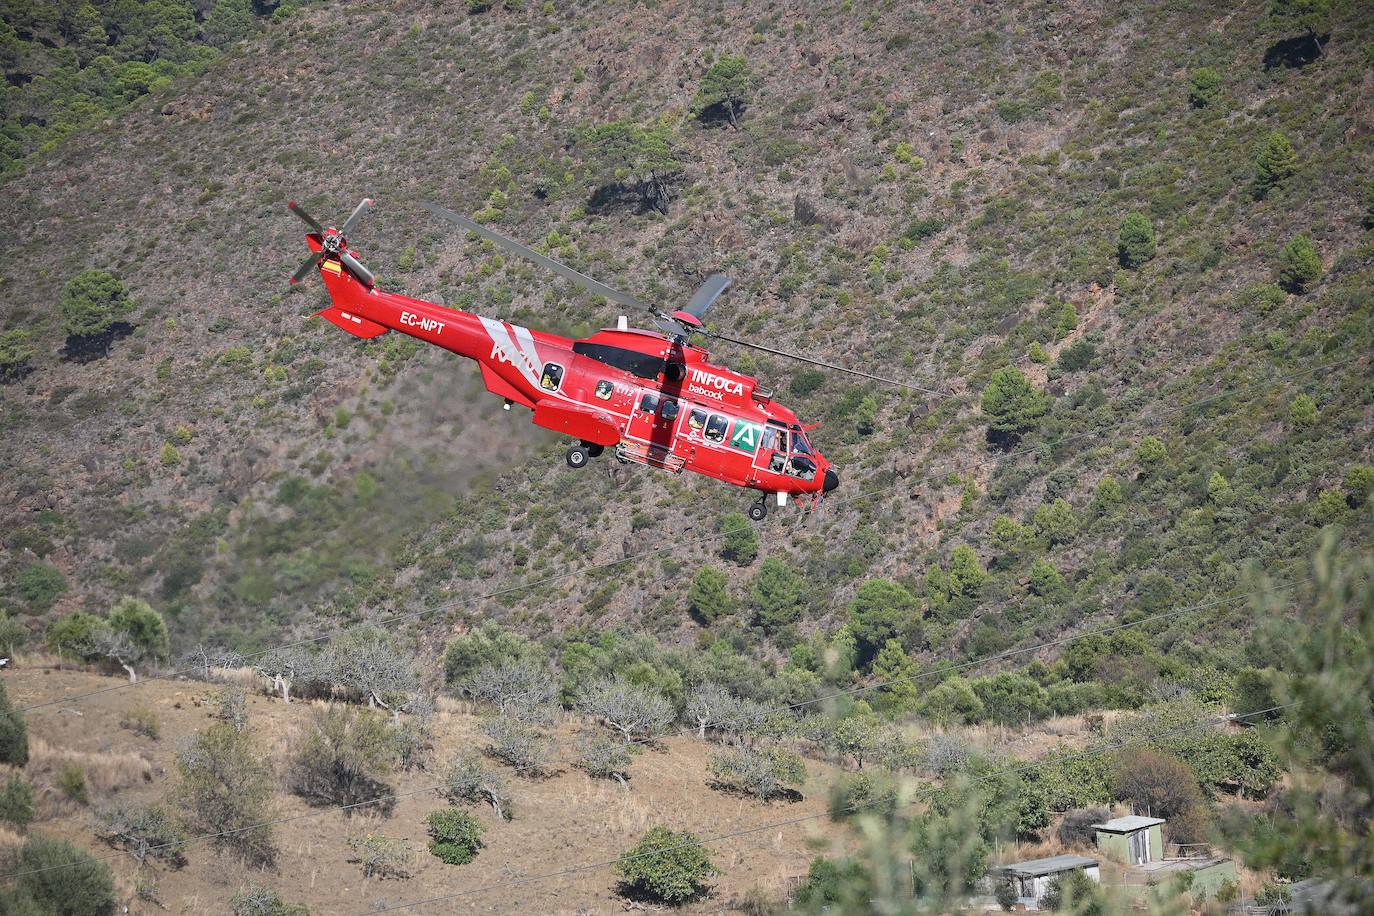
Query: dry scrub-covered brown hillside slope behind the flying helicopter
{"x": 969, "y": 167}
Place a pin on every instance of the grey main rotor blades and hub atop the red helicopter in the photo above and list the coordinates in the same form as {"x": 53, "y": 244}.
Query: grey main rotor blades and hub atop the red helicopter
{"x": 678, "y": 325}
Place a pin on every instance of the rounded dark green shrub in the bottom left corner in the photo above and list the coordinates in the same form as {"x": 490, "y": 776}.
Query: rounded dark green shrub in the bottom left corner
{"x": 64, "y": 878}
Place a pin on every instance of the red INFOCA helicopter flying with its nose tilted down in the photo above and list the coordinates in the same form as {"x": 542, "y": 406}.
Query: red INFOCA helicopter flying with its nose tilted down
{"x": 652, "y": 396}
